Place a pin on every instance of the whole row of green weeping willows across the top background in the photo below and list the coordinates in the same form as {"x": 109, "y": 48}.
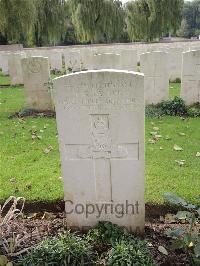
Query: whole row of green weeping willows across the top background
{"x": 51, "y": 22}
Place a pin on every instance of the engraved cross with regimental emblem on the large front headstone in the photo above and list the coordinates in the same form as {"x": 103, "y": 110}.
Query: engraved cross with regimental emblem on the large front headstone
{"x": 102, "y": 152}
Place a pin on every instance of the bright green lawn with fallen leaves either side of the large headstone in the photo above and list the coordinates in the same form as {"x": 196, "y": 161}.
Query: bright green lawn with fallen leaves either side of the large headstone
{"x": 26, "y": 170}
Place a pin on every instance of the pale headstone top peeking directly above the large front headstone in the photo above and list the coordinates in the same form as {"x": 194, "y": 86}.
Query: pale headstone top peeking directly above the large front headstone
{"x": 106, "y": 61}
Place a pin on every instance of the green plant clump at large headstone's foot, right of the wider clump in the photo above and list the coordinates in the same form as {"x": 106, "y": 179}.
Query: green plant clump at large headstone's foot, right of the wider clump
{"x": 122, "y": 247}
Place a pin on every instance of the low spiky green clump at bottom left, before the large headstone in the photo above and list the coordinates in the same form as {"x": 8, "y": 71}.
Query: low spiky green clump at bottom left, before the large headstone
{"x": 66, "y": 250}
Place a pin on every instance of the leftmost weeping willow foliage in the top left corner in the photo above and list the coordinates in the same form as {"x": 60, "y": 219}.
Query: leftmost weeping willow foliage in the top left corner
{"x": 37, "y": 22}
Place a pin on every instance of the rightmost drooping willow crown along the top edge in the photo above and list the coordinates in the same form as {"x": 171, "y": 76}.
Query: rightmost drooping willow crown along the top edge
{"x": 150, "y": 19}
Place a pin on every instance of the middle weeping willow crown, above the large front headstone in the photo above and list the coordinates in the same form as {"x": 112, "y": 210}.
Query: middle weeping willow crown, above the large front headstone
{"x": 97, "y": 20}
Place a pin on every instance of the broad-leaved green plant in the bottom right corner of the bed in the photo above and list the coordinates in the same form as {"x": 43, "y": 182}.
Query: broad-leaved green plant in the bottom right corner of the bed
{"x": 186, "y": 238}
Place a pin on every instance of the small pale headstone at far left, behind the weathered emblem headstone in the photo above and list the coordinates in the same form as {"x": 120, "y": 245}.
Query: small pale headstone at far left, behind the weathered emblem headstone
{"x": 15, "y": 68}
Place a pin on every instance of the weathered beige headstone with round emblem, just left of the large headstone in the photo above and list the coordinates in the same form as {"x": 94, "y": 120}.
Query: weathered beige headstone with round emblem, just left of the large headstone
{"x": 36, "y": 76}
